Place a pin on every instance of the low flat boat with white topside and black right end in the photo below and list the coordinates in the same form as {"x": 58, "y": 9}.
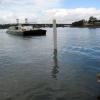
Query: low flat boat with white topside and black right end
{"x": 26, "y": 31}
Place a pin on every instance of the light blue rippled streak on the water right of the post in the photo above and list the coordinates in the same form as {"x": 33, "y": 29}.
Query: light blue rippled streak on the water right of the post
{"x": 86, "y": 51}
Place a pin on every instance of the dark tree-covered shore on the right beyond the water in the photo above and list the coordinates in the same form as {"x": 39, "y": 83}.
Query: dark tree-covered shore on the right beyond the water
{"x": 93, "y": 22}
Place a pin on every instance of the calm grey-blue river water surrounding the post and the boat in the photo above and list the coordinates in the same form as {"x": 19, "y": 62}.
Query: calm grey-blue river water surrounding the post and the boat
{"x": 30, "y": 70}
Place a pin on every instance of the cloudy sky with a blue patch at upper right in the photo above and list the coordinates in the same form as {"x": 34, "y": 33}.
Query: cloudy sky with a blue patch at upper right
{"x": 44, "y": 11}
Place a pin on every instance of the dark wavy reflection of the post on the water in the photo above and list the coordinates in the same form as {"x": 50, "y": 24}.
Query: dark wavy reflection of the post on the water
{"x": 55, "y": 69}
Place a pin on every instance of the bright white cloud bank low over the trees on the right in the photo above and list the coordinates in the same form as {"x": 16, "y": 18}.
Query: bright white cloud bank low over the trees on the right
{"x": 69, "y": 15}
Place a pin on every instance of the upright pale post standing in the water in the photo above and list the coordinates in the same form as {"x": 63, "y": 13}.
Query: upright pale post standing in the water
{"x": 55, "y": 34}
